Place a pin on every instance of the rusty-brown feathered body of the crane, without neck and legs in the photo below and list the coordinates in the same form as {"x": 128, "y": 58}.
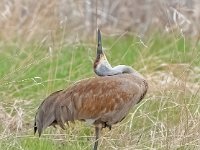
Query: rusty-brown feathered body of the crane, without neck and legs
{"x": 94, "y": 98}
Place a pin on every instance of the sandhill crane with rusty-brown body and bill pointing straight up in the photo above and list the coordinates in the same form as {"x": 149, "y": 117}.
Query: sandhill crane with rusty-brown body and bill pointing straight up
{"x": 101, "y": 101}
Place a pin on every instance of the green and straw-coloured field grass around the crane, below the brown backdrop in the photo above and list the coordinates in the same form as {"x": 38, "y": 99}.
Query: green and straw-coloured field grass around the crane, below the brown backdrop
{"x": 168, "y": 117}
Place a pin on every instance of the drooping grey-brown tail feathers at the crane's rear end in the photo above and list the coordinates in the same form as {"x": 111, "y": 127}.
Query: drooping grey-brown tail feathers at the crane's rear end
{"x": 52, "y": 112}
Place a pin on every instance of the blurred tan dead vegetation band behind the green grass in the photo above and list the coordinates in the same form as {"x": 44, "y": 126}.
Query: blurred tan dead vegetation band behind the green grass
{"x": 31, "y": 19}
